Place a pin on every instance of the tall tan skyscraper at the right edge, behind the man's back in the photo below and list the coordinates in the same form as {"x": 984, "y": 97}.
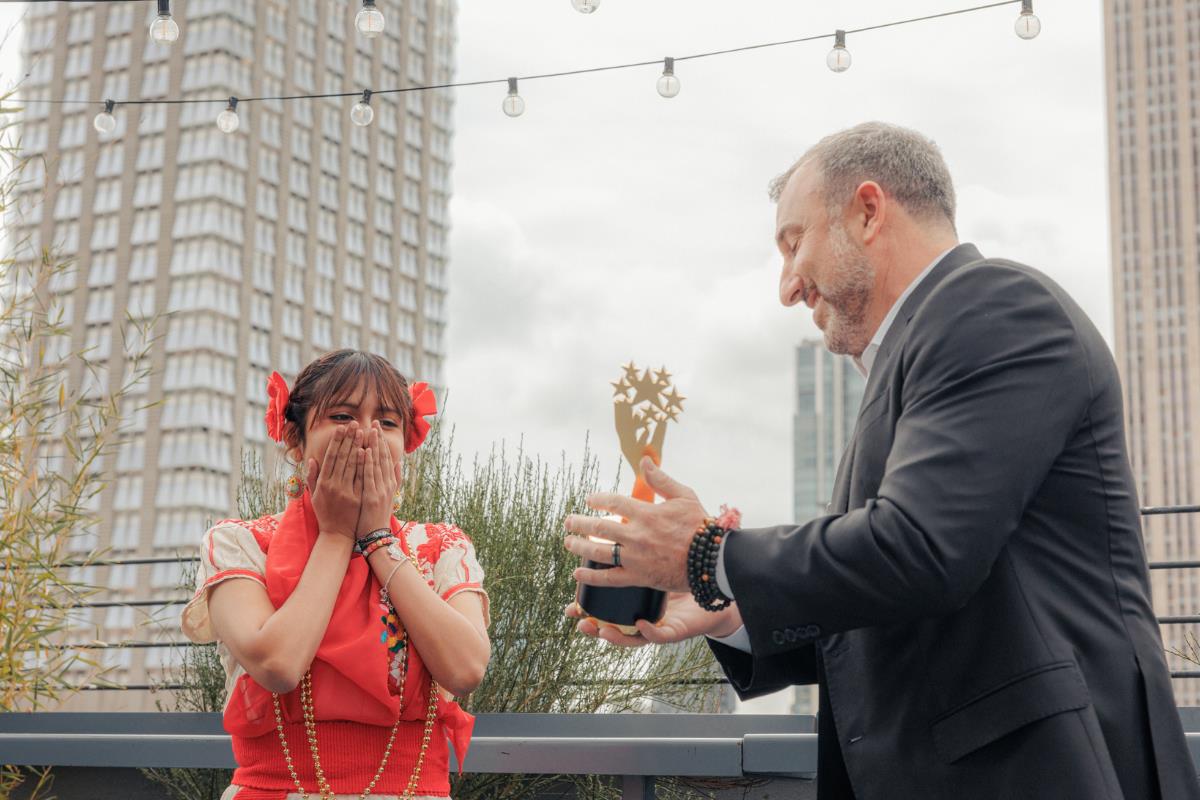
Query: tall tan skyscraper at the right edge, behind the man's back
{"x": 1154, "y": 75}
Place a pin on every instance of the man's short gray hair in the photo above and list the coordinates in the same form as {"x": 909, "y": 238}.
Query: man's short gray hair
{"x": 907, "y": 165}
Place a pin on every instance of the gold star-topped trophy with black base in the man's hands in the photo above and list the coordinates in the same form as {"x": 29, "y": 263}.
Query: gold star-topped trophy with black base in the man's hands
{"x": 644, "y": 404}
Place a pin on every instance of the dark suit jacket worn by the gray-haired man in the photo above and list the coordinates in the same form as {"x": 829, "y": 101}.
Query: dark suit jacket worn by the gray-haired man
{"x": 977, "y": 603}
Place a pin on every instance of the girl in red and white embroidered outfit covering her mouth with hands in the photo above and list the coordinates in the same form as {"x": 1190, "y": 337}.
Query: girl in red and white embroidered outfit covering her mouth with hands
{"x": 344, "y": 633}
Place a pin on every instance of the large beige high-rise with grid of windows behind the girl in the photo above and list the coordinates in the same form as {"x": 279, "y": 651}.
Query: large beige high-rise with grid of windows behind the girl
{"x": 296, "y": 234}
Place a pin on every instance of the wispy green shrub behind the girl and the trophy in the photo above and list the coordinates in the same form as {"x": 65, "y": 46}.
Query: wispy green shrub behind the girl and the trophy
{"x": 513, "y": 508}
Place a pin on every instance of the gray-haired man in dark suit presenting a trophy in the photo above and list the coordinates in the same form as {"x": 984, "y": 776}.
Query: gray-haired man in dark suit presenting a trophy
{"x": 976, "y": 604}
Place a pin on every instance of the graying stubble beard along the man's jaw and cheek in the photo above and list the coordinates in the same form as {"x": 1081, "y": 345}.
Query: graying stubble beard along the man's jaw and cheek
{"x": 849, "y": 294}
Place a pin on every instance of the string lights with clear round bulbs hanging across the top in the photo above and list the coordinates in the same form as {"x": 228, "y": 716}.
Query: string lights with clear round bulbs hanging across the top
{"x": 370, "y": 23}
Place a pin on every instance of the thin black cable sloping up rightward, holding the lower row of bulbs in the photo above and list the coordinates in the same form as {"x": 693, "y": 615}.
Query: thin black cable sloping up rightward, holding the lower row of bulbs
{"x": 533, "y": 77}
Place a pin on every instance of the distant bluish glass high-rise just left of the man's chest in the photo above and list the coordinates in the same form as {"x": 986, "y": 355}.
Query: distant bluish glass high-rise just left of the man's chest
{"x": 829, "y": 394}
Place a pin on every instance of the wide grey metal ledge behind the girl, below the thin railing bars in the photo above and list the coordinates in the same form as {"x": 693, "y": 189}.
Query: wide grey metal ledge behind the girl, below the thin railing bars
{"x": 635, "y": 749}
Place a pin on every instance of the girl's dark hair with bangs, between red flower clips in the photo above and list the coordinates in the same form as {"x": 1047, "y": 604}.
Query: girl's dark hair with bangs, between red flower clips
{"x": 333, "y": 380}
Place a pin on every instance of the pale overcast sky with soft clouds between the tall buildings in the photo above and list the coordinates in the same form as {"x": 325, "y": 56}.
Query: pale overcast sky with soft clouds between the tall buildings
{"x": 610, "y": 225}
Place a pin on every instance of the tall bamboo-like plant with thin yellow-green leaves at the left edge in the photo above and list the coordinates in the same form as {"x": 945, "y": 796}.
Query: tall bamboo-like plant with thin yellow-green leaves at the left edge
{"x": 59, "y": 423}
